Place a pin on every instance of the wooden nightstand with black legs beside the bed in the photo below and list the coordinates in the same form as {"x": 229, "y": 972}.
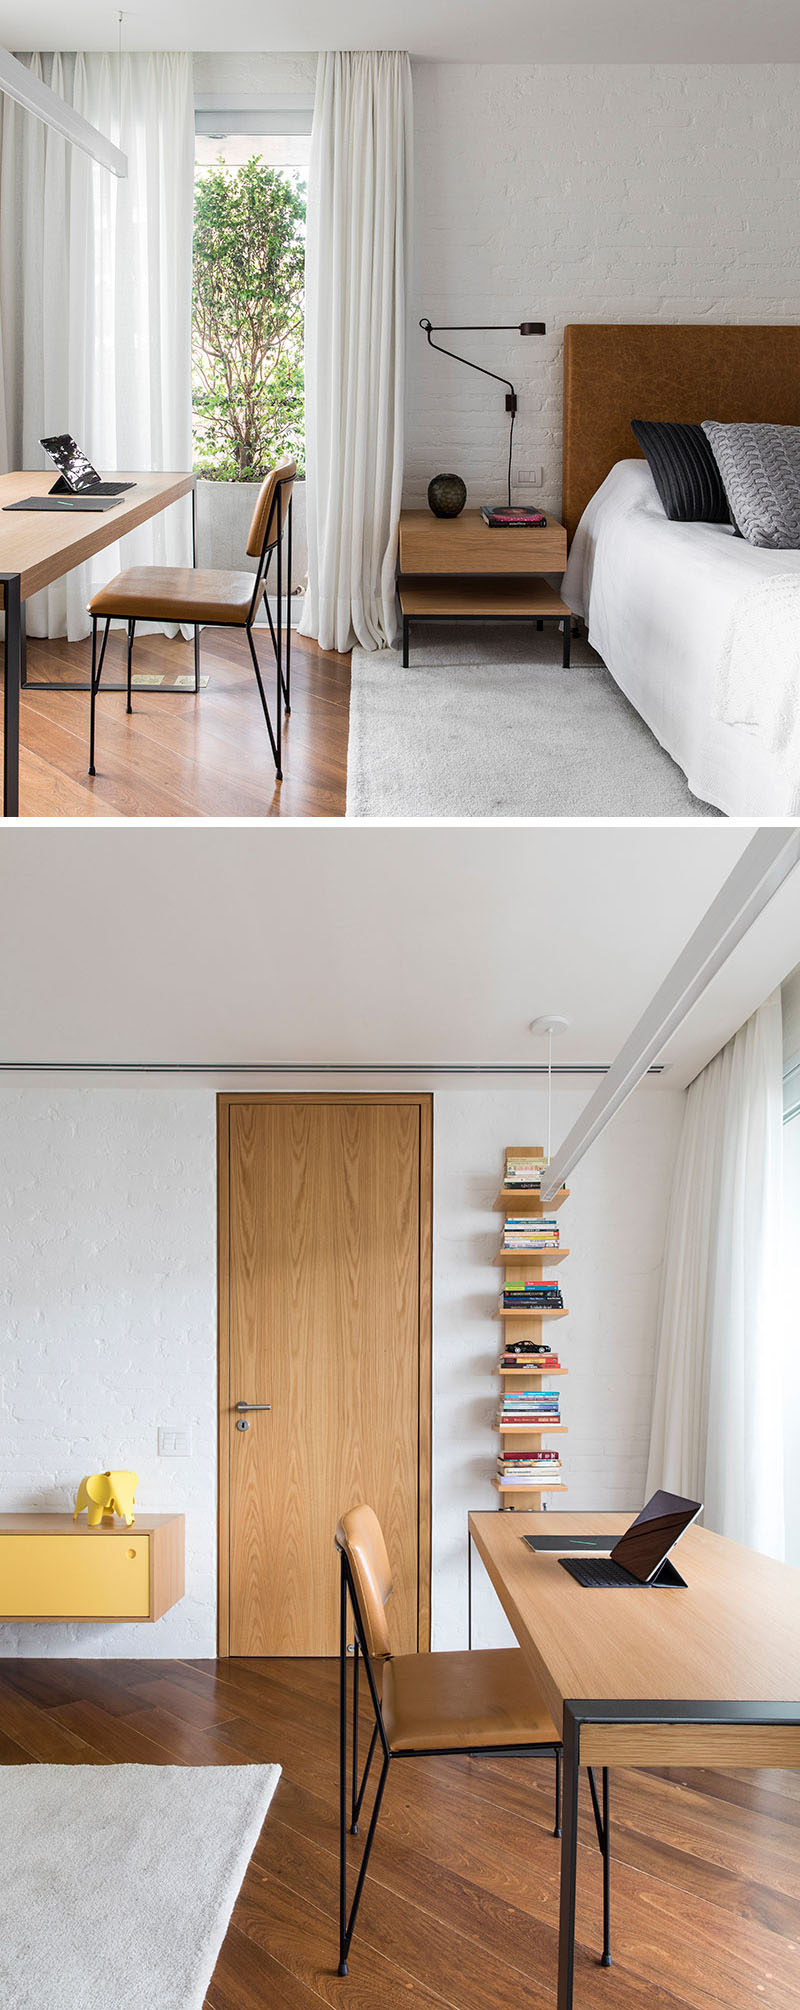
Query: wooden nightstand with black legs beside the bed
{"x": 459, "y": 570}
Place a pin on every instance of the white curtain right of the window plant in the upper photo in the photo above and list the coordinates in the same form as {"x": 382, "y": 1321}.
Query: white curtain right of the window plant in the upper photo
{"x": 357, "y": 276}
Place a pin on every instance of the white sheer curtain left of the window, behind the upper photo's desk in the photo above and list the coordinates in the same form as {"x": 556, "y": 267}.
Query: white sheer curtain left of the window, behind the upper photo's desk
{"x": 95, "y": 294}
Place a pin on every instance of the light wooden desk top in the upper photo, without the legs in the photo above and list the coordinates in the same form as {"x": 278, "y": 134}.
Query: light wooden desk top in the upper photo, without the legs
{"x": 45, "y": 546}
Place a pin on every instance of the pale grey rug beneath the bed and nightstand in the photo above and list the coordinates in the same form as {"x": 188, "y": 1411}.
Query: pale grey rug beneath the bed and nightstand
{"x": 485, "y": 723}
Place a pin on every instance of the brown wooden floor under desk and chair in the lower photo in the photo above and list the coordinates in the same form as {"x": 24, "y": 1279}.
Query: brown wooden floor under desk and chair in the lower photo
{"x": 461, "y": 1900}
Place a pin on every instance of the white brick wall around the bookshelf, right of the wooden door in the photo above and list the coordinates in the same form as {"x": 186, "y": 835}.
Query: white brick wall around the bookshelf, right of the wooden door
{"x": 614, "y": 1227}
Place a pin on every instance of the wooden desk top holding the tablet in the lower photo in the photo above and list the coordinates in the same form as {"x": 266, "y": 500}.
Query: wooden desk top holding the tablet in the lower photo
{"x": 731, "y": 1637}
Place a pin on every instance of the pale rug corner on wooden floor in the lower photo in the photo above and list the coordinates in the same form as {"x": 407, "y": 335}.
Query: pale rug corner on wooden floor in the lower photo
{"x": 120, "y": 1880}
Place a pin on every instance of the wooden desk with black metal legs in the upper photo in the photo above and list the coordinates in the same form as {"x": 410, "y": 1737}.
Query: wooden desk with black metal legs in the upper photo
{"x": 39, "y": 548}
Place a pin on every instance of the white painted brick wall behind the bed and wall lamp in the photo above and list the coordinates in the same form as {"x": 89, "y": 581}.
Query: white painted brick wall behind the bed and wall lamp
{"x": 584, "y": 194}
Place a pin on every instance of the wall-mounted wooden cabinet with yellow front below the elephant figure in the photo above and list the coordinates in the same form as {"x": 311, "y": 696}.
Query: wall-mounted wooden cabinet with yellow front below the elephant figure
{"x": 55, "y": 1569}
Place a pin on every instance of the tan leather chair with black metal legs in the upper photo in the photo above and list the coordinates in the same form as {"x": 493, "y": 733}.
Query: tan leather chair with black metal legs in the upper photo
{"x": 212, "y": 598}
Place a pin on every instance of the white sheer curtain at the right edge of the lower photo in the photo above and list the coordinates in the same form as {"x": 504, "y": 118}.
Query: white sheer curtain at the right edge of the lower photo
{"x": 719, "y": 1428}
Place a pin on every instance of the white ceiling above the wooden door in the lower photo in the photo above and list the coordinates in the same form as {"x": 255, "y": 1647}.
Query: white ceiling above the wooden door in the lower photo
{"x": 389, "y": 946}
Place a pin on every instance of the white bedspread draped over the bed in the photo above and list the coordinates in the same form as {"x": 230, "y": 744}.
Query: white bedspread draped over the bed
{"x": 684, "y": 618}
